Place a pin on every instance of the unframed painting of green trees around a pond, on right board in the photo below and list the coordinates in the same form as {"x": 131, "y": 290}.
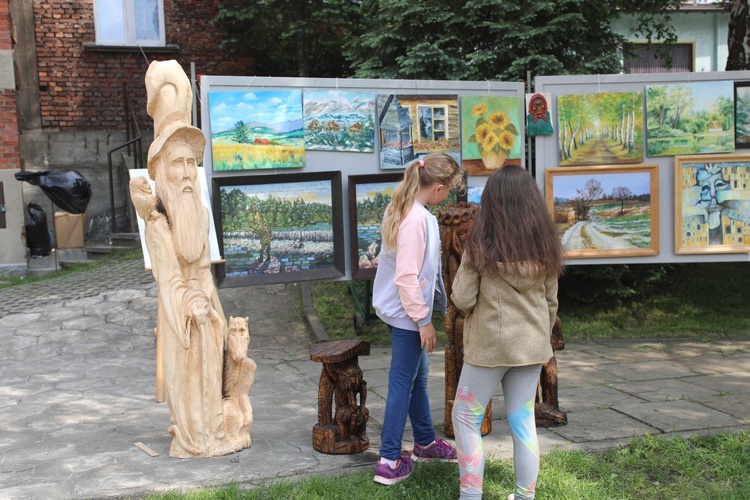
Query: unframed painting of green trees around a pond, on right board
{"x": 690, "y": 118}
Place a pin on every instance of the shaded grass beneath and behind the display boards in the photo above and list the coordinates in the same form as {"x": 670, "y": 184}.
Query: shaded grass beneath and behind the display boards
{"x": 698, "y": 301}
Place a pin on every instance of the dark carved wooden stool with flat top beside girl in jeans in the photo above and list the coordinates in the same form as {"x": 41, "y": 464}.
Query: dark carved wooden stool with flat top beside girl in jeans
{"x": 345, "y": 431}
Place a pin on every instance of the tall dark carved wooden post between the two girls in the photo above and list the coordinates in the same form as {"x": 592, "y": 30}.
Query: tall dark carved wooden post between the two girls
{"x": 455, "y": 221}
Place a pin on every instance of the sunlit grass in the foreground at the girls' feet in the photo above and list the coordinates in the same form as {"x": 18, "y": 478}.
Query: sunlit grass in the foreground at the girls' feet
{"x": 648, "y": 467}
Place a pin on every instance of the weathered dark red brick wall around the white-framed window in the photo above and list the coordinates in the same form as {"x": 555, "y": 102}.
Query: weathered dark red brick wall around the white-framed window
{"x": 83, "y": 89}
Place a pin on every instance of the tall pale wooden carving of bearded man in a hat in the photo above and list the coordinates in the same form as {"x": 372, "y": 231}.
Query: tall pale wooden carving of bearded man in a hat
{"x": 191, "y": 326}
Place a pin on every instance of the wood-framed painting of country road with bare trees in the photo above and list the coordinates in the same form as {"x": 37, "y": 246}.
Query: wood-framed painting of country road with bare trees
{"x": 605, "y": 211}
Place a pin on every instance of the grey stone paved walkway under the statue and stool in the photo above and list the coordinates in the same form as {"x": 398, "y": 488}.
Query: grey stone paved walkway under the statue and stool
{"x": 77, "y": 391}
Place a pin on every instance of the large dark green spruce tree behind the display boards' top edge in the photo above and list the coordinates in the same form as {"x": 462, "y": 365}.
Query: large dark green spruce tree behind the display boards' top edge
{"x": 498, "y": 39}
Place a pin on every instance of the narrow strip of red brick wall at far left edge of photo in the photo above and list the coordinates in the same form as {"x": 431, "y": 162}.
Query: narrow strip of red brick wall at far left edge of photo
{"x": 9, "y": 147}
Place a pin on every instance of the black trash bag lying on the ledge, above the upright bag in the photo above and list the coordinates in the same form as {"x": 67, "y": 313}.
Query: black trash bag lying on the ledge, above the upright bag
{"x": 67, "y": 189}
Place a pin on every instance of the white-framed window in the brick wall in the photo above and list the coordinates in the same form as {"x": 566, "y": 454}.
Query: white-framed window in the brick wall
{"x": 129, "y": 22}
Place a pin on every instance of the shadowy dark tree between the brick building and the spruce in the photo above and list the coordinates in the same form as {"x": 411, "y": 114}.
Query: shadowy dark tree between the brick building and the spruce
{"x": 291, "y": 37}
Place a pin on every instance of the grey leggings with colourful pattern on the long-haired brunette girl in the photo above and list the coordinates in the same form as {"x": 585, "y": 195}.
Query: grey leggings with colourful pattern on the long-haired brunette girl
{"x": 475, "y": 388}
